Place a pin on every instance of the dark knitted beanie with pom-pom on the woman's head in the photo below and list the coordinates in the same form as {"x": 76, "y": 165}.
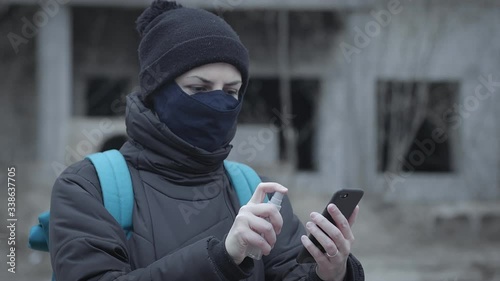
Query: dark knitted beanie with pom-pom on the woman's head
{"x": 175, "y": 39}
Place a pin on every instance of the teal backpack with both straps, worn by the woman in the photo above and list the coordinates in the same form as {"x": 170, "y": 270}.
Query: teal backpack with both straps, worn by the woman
{"x": 118, "y": 194}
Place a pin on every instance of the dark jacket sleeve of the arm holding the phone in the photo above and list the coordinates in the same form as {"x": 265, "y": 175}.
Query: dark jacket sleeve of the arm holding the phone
{"x": 280, "y": 264}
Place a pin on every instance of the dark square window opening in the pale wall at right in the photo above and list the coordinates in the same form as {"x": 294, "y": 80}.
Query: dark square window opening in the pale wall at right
{"x": 413, "y": 131}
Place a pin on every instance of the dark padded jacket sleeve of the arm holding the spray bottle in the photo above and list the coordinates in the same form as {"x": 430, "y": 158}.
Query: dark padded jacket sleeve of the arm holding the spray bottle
{"x": 86, "y": 243}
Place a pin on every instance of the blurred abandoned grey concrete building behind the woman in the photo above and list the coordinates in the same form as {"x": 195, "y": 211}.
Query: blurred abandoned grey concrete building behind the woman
{"x": 399, "y": 98}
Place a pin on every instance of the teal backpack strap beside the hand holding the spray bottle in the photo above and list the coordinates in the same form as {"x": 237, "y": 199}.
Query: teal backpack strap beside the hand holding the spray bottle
{"x": 244, "y": 179}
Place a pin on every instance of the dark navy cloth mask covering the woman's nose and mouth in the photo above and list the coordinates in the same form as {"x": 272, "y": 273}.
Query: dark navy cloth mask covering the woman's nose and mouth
{"x": 206, "y": 120}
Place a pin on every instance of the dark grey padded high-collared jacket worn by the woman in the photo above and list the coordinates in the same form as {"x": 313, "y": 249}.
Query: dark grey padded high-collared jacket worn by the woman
{"x": 184, "y": 207}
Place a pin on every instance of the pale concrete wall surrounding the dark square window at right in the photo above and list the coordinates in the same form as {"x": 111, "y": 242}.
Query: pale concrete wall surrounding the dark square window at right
{"x": 424, "y": 40}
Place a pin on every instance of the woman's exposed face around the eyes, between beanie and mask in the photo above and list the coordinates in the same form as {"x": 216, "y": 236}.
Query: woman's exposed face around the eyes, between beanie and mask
{"x": 211, "y": 77}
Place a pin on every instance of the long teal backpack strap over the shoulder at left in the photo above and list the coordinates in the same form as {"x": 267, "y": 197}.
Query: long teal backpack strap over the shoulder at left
{"x": 116, "y": 185}
